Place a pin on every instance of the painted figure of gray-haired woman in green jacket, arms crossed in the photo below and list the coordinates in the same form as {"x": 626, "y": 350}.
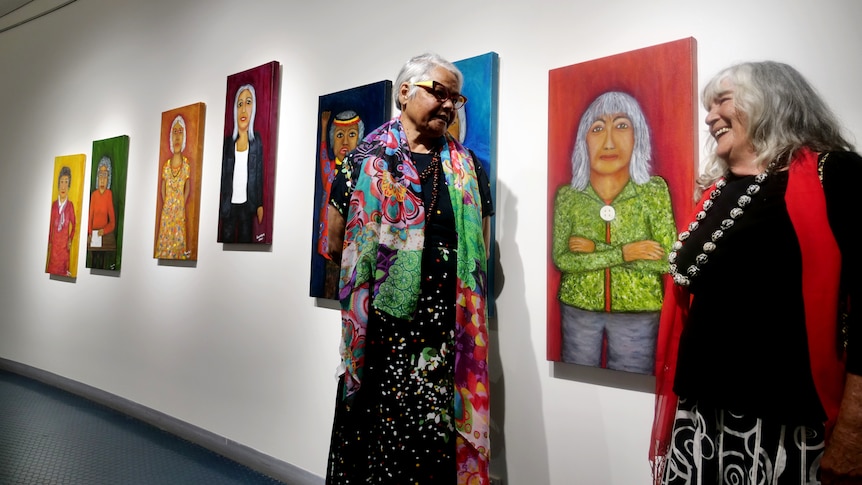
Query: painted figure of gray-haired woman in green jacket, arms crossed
{"x": 613, "y": 227}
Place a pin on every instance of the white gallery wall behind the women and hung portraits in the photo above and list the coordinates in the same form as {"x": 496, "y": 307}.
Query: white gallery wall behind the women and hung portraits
{"x": 233, "y": 344}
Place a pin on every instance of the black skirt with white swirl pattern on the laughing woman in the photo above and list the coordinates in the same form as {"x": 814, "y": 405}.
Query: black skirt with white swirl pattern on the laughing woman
{"x": 713, "y": 446}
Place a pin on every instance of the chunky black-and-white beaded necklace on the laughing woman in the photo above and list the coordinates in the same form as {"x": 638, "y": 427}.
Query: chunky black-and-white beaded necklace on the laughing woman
{"x": 684, "y": 278}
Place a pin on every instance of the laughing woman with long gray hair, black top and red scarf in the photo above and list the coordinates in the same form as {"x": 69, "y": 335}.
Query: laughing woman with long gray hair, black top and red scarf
{"x": 758, "y": 378}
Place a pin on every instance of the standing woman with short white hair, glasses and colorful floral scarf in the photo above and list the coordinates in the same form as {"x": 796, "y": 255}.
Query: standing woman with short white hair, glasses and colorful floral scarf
{"x": 412, "y": 403}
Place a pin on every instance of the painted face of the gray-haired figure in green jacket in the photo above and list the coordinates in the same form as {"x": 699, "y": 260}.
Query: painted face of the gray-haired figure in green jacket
{"x": 610, "y": 141}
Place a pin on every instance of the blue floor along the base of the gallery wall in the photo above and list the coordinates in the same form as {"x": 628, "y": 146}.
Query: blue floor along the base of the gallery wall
{"x": 49, "y": 436}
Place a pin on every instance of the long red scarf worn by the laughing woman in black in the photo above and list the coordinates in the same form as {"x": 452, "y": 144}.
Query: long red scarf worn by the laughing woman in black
{"x": 821, "y": 270}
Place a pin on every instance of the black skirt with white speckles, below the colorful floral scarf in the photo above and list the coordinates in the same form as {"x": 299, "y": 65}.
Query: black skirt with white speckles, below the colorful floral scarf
{"x": 399, "y": 427}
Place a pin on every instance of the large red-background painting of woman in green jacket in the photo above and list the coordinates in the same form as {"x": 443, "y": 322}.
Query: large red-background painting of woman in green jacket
{"x": 621, "y": 156}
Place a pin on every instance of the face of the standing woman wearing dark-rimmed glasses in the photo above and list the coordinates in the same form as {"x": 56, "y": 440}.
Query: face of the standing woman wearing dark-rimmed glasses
{"x": 427, "y": 115}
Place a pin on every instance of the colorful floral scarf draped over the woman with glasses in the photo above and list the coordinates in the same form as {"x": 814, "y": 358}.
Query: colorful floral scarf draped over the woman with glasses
{"x": 382, "y": 262}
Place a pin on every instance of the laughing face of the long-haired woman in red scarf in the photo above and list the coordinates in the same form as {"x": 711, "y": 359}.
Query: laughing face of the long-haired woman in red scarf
{"x": 729, "y": 127}
